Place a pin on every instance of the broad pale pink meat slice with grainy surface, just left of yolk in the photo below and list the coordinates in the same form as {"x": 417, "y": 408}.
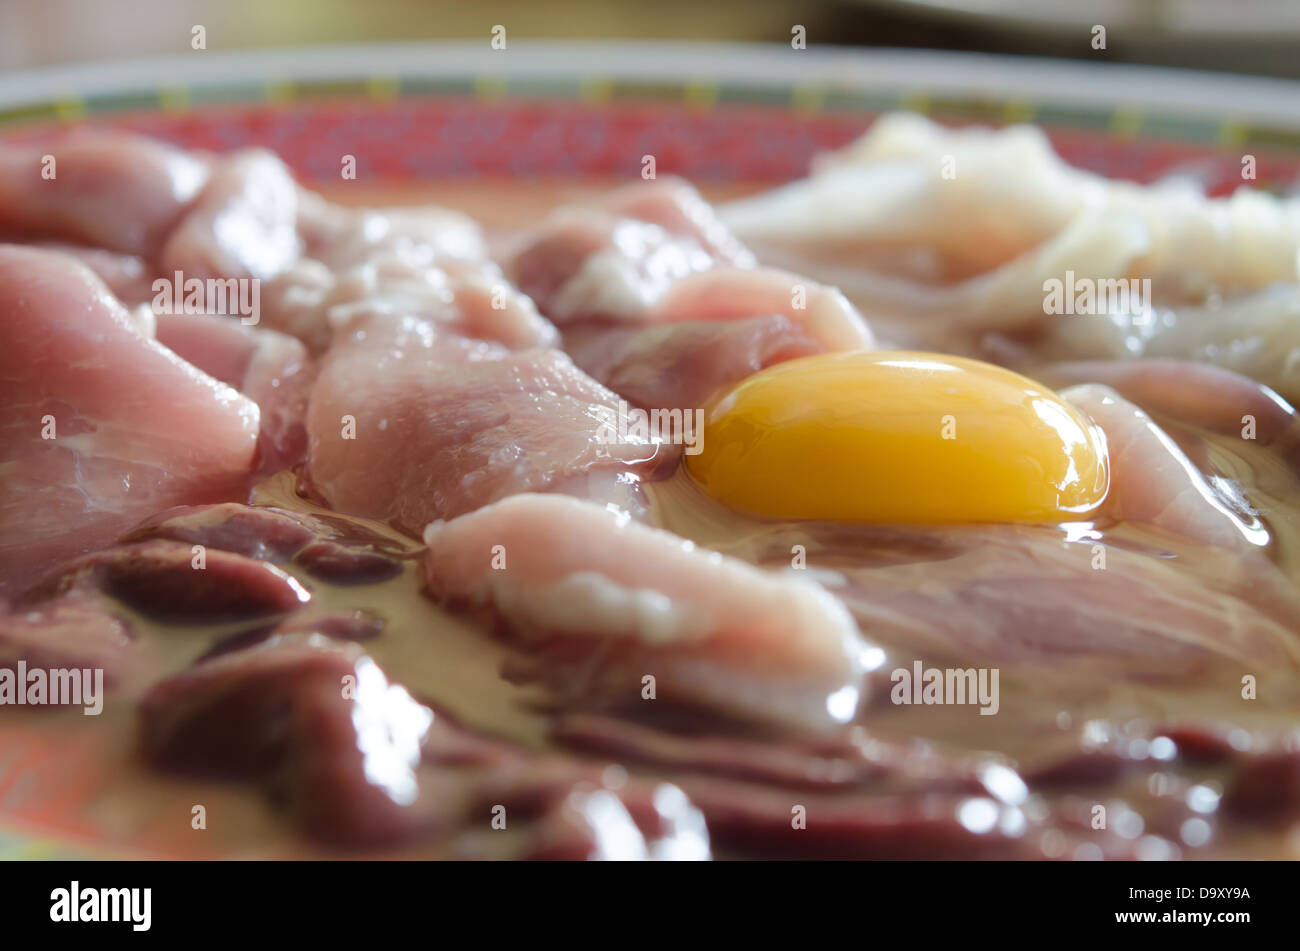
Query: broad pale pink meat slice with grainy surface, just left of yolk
{"x": 458, "y": 423}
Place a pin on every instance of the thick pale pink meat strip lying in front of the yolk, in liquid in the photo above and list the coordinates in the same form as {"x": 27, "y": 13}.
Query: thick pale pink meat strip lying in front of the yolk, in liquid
{"x": 634, "y": 601}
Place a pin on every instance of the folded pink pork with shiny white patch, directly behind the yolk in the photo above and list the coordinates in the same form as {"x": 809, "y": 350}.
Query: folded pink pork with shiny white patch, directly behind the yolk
{"x": 662, "y": 305}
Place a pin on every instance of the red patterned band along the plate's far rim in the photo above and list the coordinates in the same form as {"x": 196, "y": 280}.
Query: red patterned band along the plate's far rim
{"x": 456, "y": 138}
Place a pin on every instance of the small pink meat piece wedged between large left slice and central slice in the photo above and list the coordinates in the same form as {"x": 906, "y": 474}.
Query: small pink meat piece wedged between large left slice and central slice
{"x": 267, "y": 367}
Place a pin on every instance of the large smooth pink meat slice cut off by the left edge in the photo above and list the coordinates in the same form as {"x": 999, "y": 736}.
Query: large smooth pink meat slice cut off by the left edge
{"x": 137, "y": 429}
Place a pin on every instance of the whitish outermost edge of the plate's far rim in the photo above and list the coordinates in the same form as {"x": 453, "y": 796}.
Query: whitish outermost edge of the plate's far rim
{"x": 1072, "y": 84}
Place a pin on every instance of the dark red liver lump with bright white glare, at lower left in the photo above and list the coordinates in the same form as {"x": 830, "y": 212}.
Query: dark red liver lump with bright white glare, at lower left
{"x": 317, "y": 724}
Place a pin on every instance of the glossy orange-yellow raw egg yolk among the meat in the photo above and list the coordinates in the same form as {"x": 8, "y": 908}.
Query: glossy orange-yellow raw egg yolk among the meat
{"x": 900, "y": 437}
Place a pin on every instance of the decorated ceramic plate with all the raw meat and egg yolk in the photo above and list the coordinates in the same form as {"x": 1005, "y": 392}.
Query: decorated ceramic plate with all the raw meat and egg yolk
{"x": 648, "y": 451}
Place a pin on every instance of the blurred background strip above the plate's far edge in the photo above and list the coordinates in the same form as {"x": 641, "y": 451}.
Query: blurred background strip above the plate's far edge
{"x": 1238, "y": 36}
